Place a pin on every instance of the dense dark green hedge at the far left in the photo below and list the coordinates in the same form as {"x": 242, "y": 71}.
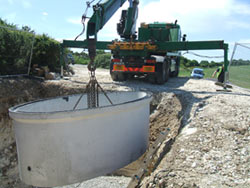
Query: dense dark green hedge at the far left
{"x": 15, "y": 49}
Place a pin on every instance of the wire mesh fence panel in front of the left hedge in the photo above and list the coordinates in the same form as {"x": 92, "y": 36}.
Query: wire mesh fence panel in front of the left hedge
{"x": 16, "y": 49}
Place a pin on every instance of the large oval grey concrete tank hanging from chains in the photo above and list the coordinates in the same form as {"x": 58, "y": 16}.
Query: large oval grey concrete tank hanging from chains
{"x": 57, "y": 145}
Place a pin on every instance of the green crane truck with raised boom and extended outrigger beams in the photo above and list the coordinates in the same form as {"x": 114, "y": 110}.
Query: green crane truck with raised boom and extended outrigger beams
{"x": 154, "y": 53}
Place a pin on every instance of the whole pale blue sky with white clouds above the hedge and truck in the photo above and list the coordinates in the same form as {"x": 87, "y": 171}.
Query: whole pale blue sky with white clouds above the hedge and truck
{"x": 227, "y": 20}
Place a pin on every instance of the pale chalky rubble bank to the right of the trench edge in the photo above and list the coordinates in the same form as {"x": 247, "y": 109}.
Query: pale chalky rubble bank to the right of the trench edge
{"x": 212, "y": 150}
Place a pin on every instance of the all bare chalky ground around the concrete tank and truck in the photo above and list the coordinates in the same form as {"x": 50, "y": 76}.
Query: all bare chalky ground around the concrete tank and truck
{"x": 210, "y": 131}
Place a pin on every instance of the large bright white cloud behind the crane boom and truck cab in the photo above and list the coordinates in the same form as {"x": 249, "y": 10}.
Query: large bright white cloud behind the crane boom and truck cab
{"x": 208, "y": 18}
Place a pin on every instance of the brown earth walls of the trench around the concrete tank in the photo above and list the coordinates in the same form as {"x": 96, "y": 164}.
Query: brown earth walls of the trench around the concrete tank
{"x": 166, "y": 108}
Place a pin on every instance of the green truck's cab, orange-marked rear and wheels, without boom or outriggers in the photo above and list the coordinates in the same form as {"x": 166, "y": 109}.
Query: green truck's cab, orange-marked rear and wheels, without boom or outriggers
{"x": 142, "y": 57}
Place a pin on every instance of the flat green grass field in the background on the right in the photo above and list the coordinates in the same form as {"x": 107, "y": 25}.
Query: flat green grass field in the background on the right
{"x": 238, "y": 75}
